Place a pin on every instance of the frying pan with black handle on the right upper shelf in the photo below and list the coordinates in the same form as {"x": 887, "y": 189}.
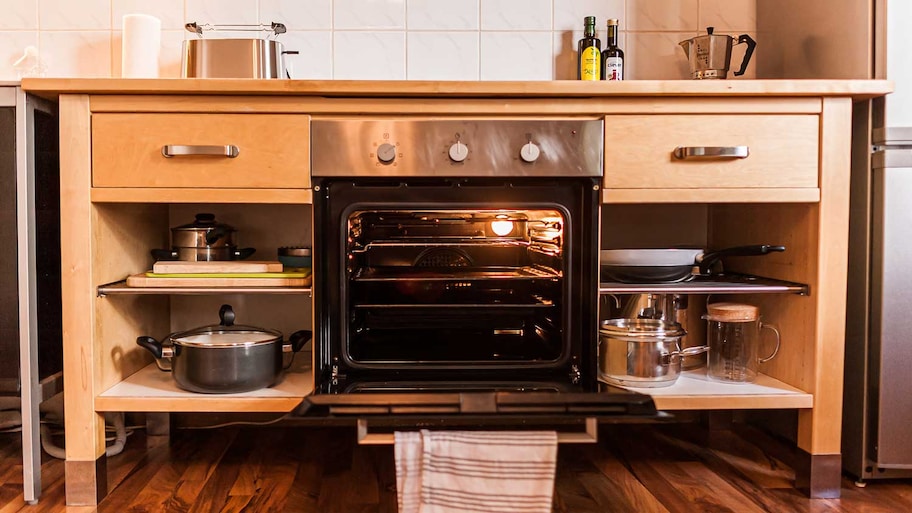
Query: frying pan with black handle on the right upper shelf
{"x": 668, "y": 265}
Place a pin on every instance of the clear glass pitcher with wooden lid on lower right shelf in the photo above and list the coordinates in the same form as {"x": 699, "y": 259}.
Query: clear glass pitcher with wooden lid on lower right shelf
{"x": 733, "y": 336}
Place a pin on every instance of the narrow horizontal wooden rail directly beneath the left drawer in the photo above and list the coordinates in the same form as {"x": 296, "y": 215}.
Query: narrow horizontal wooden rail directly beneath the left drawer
{"x": 200, "y": 195}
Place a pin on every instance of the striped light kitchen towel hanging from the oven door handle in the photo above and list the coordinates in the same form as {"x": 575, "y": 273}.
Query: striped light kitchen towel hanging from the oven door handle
{"x": 475, "y": 471}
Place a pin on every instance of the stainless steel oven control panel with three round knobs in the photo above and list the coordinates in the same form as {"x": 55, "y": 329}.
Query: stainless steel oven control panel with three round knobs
{"x": 457, "y": 147}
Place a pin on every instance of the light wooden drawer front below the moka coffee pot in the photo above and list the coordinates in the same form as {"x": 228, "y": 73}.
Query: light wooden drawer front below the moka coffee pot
{"x": 781, "y": 151}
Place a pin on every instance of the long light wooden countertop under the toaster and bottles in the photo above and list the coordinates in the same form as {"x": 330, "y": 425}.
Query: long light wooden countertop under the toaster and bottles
{"x": 858, "y": 89}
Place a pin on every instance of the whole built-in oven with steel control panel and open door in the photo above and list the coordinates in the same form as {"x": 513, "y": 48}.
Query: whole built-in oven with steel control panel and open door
{"x": 456, "y": 266}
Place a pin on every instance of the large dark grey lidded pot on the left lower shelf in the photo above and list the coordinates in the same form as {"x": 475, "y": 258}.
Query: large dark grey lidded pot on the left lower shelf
{"x": 224, "y": 358}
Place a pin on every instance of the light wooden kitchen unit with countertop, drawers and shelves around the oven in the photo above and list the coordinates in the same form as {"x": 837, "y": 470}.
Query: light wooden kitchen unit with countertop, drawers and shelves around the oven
{"x": 120, "y": 194}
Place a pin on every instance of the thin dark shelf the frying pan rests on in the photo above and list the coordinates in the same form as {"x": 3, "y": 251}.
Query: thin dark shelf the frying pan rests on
{"x": 721, "y": 284}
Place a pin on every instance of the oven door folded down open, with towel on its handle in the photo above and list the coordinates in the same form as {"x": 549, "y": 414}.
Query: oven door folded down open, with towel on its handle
{"x": 382, "y": 407}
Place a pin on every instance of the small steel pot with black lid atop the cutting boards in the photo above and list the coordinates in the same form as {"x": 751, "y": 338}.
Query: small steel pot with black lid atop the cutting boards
{"x": 203, "y": 240}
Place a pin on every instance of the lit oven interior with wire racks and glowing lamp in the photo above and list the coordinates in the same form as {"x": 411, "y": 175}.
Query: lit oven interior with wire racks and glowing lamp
{"x": 455, "y": 287}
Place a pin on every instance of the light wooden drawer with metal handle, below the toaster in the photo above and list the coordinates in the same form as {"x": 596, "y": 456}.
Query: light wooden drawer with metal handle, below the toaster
{"x": 272, "y": 150}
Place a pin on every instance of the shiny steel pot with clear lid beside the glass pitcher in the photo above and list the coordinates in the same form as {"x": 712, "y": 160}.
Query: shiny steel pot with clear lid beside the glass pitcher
{"x": 641, "y": 352}
